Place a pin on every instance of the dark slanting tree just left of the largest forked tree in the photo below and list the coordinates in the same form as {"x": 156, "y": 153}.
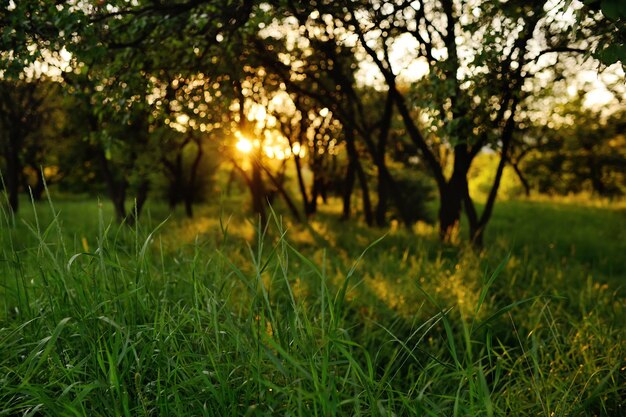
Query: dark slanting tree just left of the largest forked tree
{"x": 320, "y": 66}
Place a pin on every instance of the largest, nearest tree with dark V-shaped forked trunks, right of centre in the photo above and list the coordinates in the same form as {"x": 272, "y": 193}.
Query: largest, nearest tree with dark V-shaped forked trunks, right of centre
{"x": 480, "y": 59}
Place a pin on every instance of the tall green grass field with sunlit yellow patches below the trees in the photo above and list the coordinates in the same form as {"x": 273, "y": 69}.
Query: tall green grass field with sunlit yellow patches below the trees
{"x": 213, "y": 317}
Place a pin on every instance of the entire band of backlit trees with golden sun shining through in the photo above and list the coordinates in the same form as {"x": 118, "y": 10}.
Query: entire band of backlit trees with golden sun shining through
{"x": 395, "y": 103}
